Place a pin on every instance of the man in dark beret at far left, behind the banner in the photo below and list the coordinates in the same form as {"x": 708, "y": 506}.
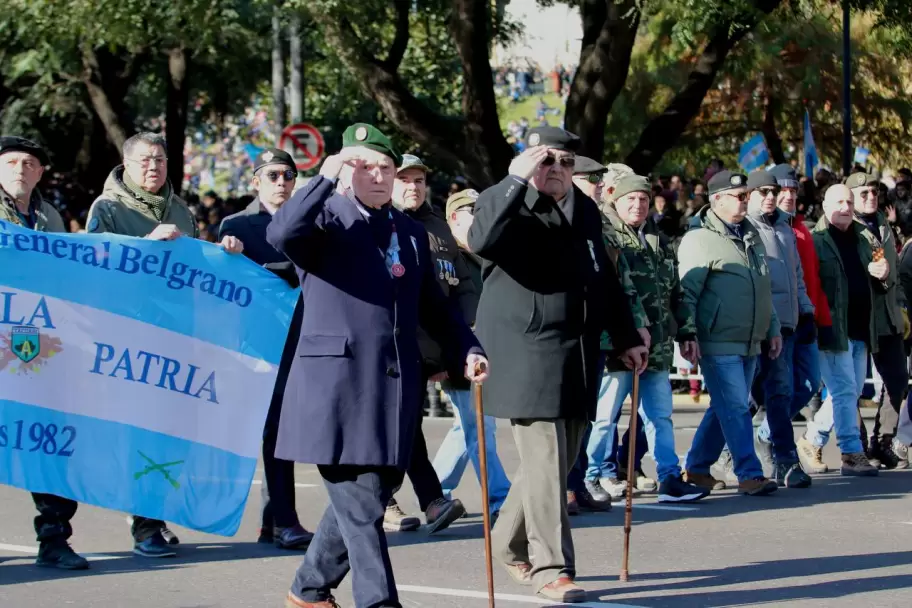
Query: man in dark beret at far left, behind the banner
{"x": 22, "y": 164}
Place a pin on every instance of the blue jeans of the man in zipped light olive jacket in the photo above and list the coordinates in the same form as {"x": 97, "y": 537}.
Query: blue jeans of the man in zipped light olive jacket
{"x": 728, "y": 379}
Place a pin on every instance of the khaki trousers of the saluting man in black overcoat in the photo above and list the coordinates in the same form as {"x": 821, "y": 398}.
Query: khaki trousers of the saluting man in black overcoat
{"x": 533, "y": 526}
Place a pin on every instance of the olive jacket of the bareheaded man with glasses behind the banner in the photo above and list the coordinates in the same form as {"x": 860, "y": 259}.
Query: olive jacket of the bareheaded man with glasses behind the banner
{"x": 117, "y": 211}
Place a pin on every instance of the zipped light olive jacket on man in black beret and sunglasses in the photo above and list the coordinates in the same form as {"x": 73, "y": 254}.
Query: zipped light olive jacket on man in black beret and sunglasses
{"x": 725, "y": 282}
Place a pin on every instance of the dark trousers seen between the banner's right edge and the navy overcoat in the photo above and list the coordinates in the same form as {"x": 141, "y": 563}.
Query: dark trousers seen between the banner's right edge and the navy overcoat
{"x": 278, "y": 493}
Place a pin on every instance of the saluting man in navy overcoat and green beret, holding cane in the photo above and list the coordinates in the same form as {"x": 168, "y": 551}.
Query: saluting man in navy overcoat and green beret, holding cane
{"x": 354, "y": 391}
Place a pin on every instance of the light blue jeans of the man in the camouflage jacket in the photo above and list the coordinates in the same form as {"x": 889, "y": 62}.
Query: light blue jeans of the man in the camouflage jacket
{"x": 655, "y": 408}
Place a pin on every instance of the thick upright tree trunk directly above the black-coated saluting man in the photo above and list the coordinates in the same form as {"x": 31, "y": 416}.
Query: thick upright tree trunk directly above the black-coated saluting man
{"x": 609, "y": 31}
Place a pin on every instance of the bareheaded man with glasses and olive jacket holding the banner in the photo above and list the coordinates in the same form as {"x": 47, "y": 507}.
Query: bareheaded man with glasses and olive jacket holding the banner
{"x": 139, "y": 201}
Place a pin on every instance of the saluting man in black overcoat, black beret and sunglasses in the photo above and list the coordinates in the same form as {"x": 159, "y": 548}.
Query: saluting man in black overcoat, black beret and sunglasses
{"x": 549, "y": 290}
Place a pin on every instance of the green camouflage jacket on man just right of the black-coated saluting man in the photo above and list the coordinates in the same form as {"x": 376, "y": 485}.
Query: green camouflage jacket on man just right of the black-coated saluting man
{"x": 654, "y": 273}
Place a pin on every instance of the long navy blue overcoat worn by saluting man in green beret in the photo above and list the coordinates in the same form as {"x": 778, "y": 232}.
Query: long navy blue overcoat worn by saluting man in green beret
{"x": 354, "y": 391}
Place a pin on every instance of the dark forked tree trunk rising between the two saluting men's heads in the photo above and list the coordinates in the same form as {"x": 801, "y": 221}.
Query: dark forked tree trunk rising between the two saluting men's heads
{"x": 474, "y": 146}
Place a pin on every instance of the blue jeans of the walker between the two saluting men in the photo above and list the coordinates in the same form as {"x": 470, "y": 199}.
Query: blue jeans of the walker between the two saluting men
{"x": 461, "y": 445}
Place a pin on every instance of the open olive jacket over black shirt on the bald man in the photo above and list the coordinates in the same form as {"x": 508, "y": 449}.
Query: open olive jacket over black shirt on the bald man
{"x": 836, "y": 286}
